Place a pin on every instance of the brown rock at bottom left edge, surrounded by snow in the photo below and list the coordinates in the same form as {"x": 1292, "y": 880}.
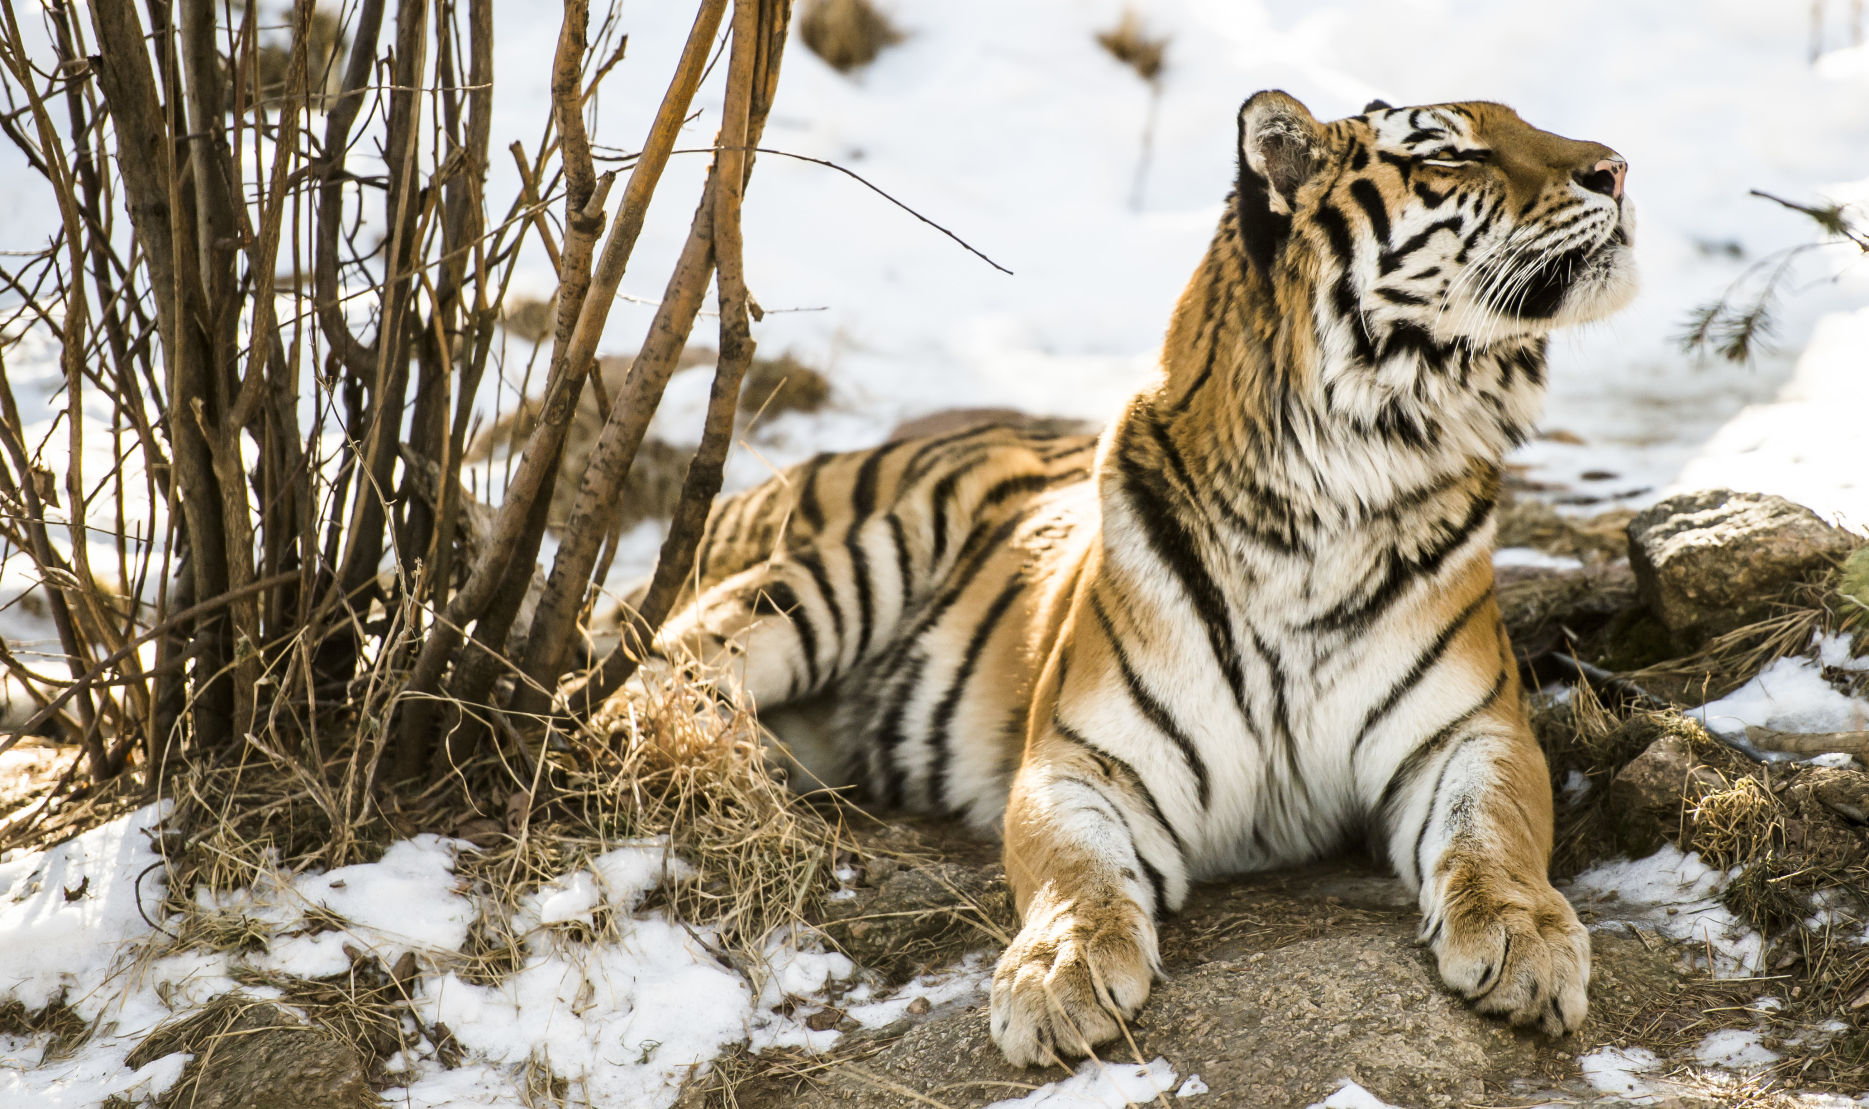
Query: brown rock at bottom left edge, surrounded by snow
{"x": 257, "y": 1054}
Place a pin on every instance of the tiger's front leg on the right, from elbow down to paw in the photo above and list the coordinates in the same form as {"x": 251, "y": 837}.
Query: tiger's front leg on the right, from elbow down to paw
{"x": 1470, "y": 822}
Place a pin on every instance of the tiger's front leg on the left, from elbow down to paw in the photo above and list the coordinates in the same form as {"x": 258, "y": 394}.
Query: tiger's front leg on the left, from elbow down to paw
{"x": 1085, "y": 859}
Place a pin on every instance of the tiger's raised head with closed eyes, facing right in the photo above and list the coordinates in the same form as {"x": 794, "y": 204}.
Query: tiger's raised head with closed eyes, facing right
{"x": 1434, "y": 225}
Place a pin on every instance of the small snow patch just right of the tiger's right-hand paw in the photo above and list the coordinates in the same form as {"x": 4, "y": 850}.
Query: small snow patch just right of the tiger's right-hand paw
{"x": 1677, "y": 897}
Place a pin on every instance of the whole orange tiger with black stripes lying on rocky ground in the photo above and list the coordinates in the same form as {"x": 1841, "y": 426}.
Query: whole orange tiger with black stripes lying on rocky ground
{"x": 1249, "y": 622}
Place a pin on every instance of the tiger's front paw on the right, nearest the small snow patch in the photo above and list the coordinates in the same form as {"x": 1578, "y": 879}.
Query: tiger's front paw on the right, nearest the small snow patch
{"x": 1515, "y": 951}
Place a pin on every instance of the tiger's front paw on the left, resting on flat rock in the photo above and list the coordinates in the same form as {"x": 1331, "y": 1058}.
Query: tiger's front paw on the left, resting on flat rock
{"x": 1074, "y": 973}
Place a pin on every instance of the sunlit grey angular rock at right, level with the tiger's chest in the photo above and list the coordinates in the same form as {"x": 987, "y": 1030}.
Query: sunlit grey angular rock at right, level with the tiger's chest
{"x": 1719, "y": 560}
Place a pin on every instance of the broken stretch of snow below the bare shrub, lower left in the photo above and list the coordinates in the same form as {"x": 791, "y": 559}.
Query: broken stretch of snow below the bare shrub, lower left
{"x": 625, "y": 1018}
